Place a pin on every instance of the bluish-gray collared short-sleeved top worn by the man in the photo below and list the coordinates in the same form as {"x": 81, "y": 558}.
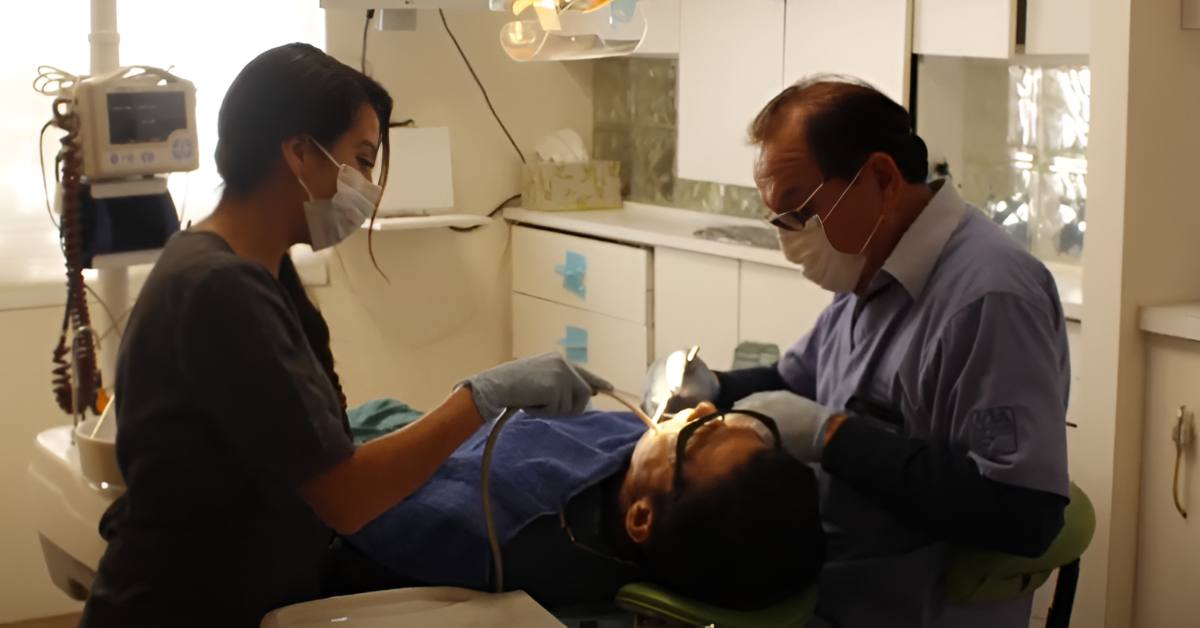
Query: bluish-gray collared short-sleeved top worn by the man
{"x": 979, "y": 362}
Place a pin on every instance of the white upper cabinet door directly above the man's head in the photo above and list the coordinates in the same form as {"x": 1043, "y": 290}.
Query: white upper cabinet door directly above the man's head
{"x": 865, "y": 39}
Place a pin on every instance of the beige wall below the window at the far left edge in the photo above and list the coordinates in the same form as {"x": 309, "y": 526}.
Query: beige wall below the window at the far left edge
{"x": 27, "y": 338}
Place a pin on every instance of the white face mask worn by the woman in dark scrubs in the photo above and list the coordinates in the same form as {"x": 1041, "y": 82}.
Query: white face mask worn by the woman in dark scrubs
{"x": 333, "y": 220}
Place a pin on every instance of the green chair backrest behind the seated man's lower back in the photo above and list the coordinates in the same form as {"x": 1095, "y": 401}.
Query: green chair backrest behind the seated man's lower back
{"x": 980, "y": 576}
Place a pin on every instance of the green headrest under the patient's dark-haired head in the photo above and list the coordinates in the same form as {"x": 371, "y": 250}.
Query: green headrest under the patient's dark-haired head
{"x": 653, "y": 600}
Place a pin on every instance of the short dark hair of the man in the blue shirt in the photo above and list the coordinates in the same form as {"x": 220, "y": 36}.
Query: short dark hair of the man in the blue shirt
{"x": 845, "y": 121}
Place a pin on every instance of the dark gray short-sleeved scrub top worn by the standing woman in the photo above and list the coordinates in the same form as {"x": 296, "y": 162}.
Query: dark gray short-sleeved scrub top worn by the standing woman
{"x": 224, "y": 411}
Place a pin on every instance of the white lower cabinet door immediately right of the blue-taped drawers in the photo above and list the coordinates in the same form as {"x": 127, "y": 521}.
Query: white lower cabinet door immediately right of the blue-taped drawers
{"x": 697, "y": 303}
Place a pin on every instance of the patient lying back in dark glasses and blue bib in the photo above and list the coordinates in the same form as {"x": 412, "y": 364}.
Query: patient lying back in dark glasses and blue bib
{"x": 587, "y": 505}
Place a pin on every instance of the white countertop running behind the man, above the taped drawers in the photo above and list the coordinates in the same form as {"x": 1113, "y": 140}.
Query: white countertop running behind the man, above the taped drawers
{"x": 670, "y": 228}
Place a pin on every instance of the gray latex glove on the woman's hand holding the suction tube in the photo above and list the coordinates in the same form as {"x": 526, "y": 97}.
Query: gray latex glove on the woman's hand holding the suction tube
{"x": 543, "y": 386}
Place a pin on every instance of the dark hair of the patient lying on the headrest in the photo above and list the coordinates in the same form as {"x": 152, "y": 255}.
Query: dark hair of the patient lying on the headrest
{"x": 745, "y": 542}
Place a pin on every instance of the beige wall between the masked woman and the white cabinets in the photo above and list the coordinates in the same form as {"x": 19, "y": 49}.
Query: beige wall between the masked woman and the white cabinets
{"x": 446, "y": 313}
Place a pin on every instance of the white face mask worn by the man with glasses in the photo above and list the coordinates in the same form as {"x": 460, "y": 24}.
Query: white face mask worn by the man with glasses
{"x": 823, "y": 264}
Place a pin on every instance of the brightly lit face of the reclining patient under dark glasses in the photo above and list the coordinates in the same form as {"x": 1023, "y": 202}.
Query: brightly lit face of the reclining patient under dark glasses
{"x": 716, "y": 450}
